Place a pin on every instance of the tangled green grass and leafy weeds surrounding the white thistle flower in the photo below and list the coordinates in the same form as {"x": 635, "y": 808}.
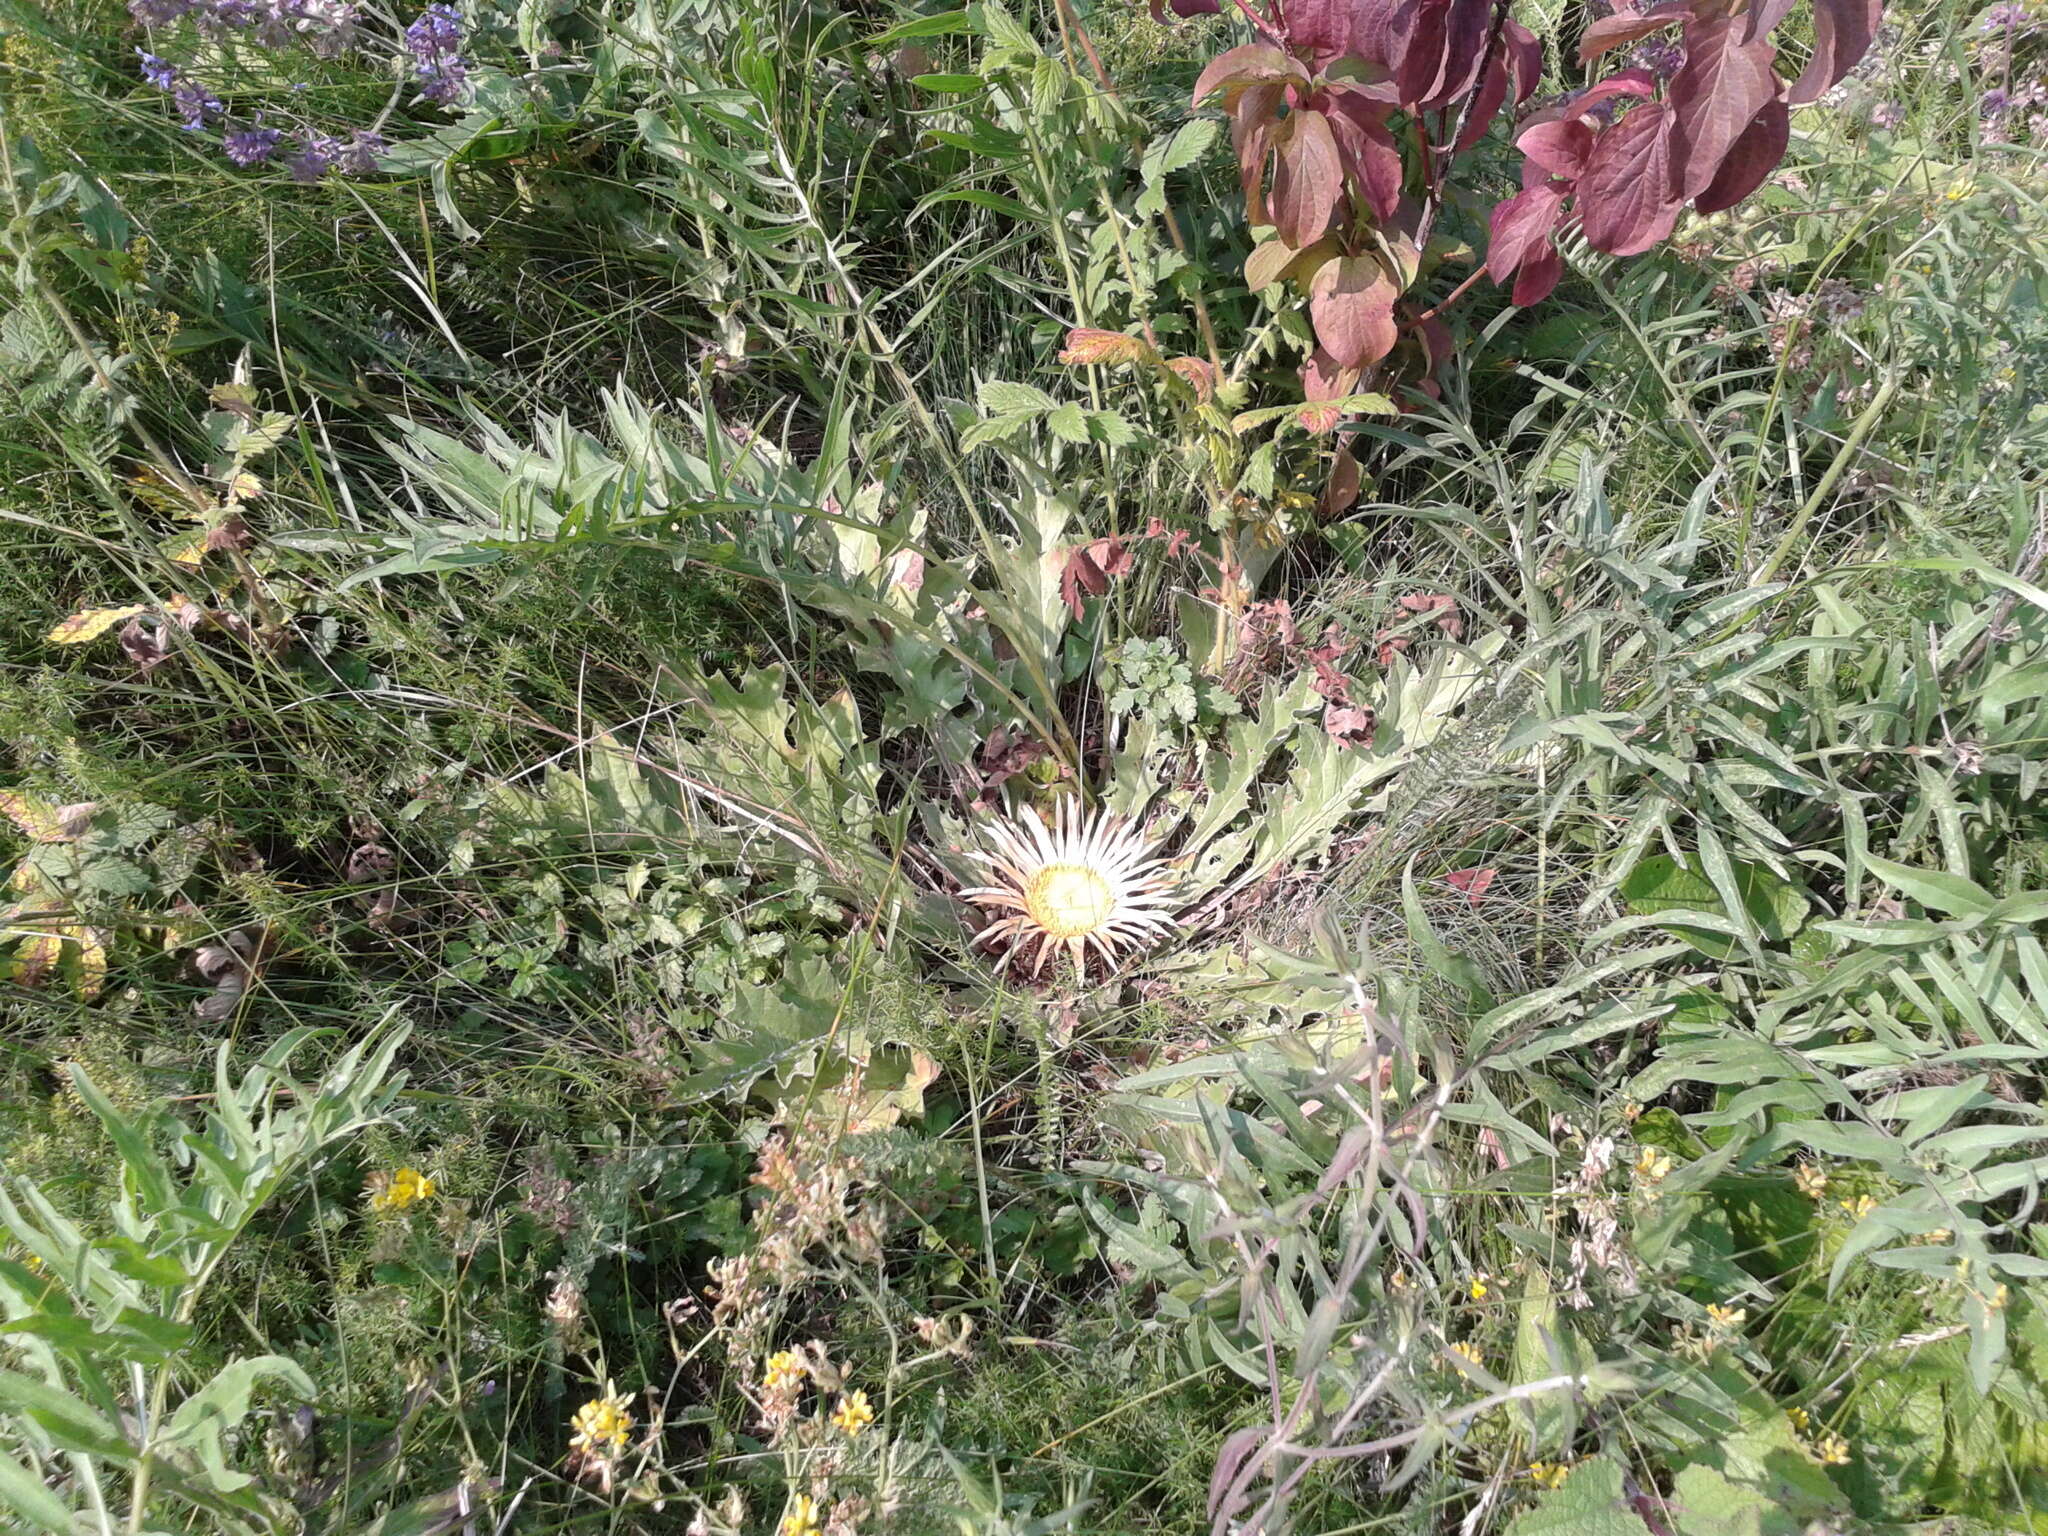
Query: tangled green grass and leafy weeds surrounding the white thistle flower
{"x": 632, "y": 777}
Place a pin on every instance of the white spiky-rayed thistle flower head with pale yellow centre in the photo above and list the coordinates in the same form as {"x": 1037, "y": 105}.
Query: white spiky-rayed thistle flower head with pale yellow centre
{"x": 1089, "y": 882}
